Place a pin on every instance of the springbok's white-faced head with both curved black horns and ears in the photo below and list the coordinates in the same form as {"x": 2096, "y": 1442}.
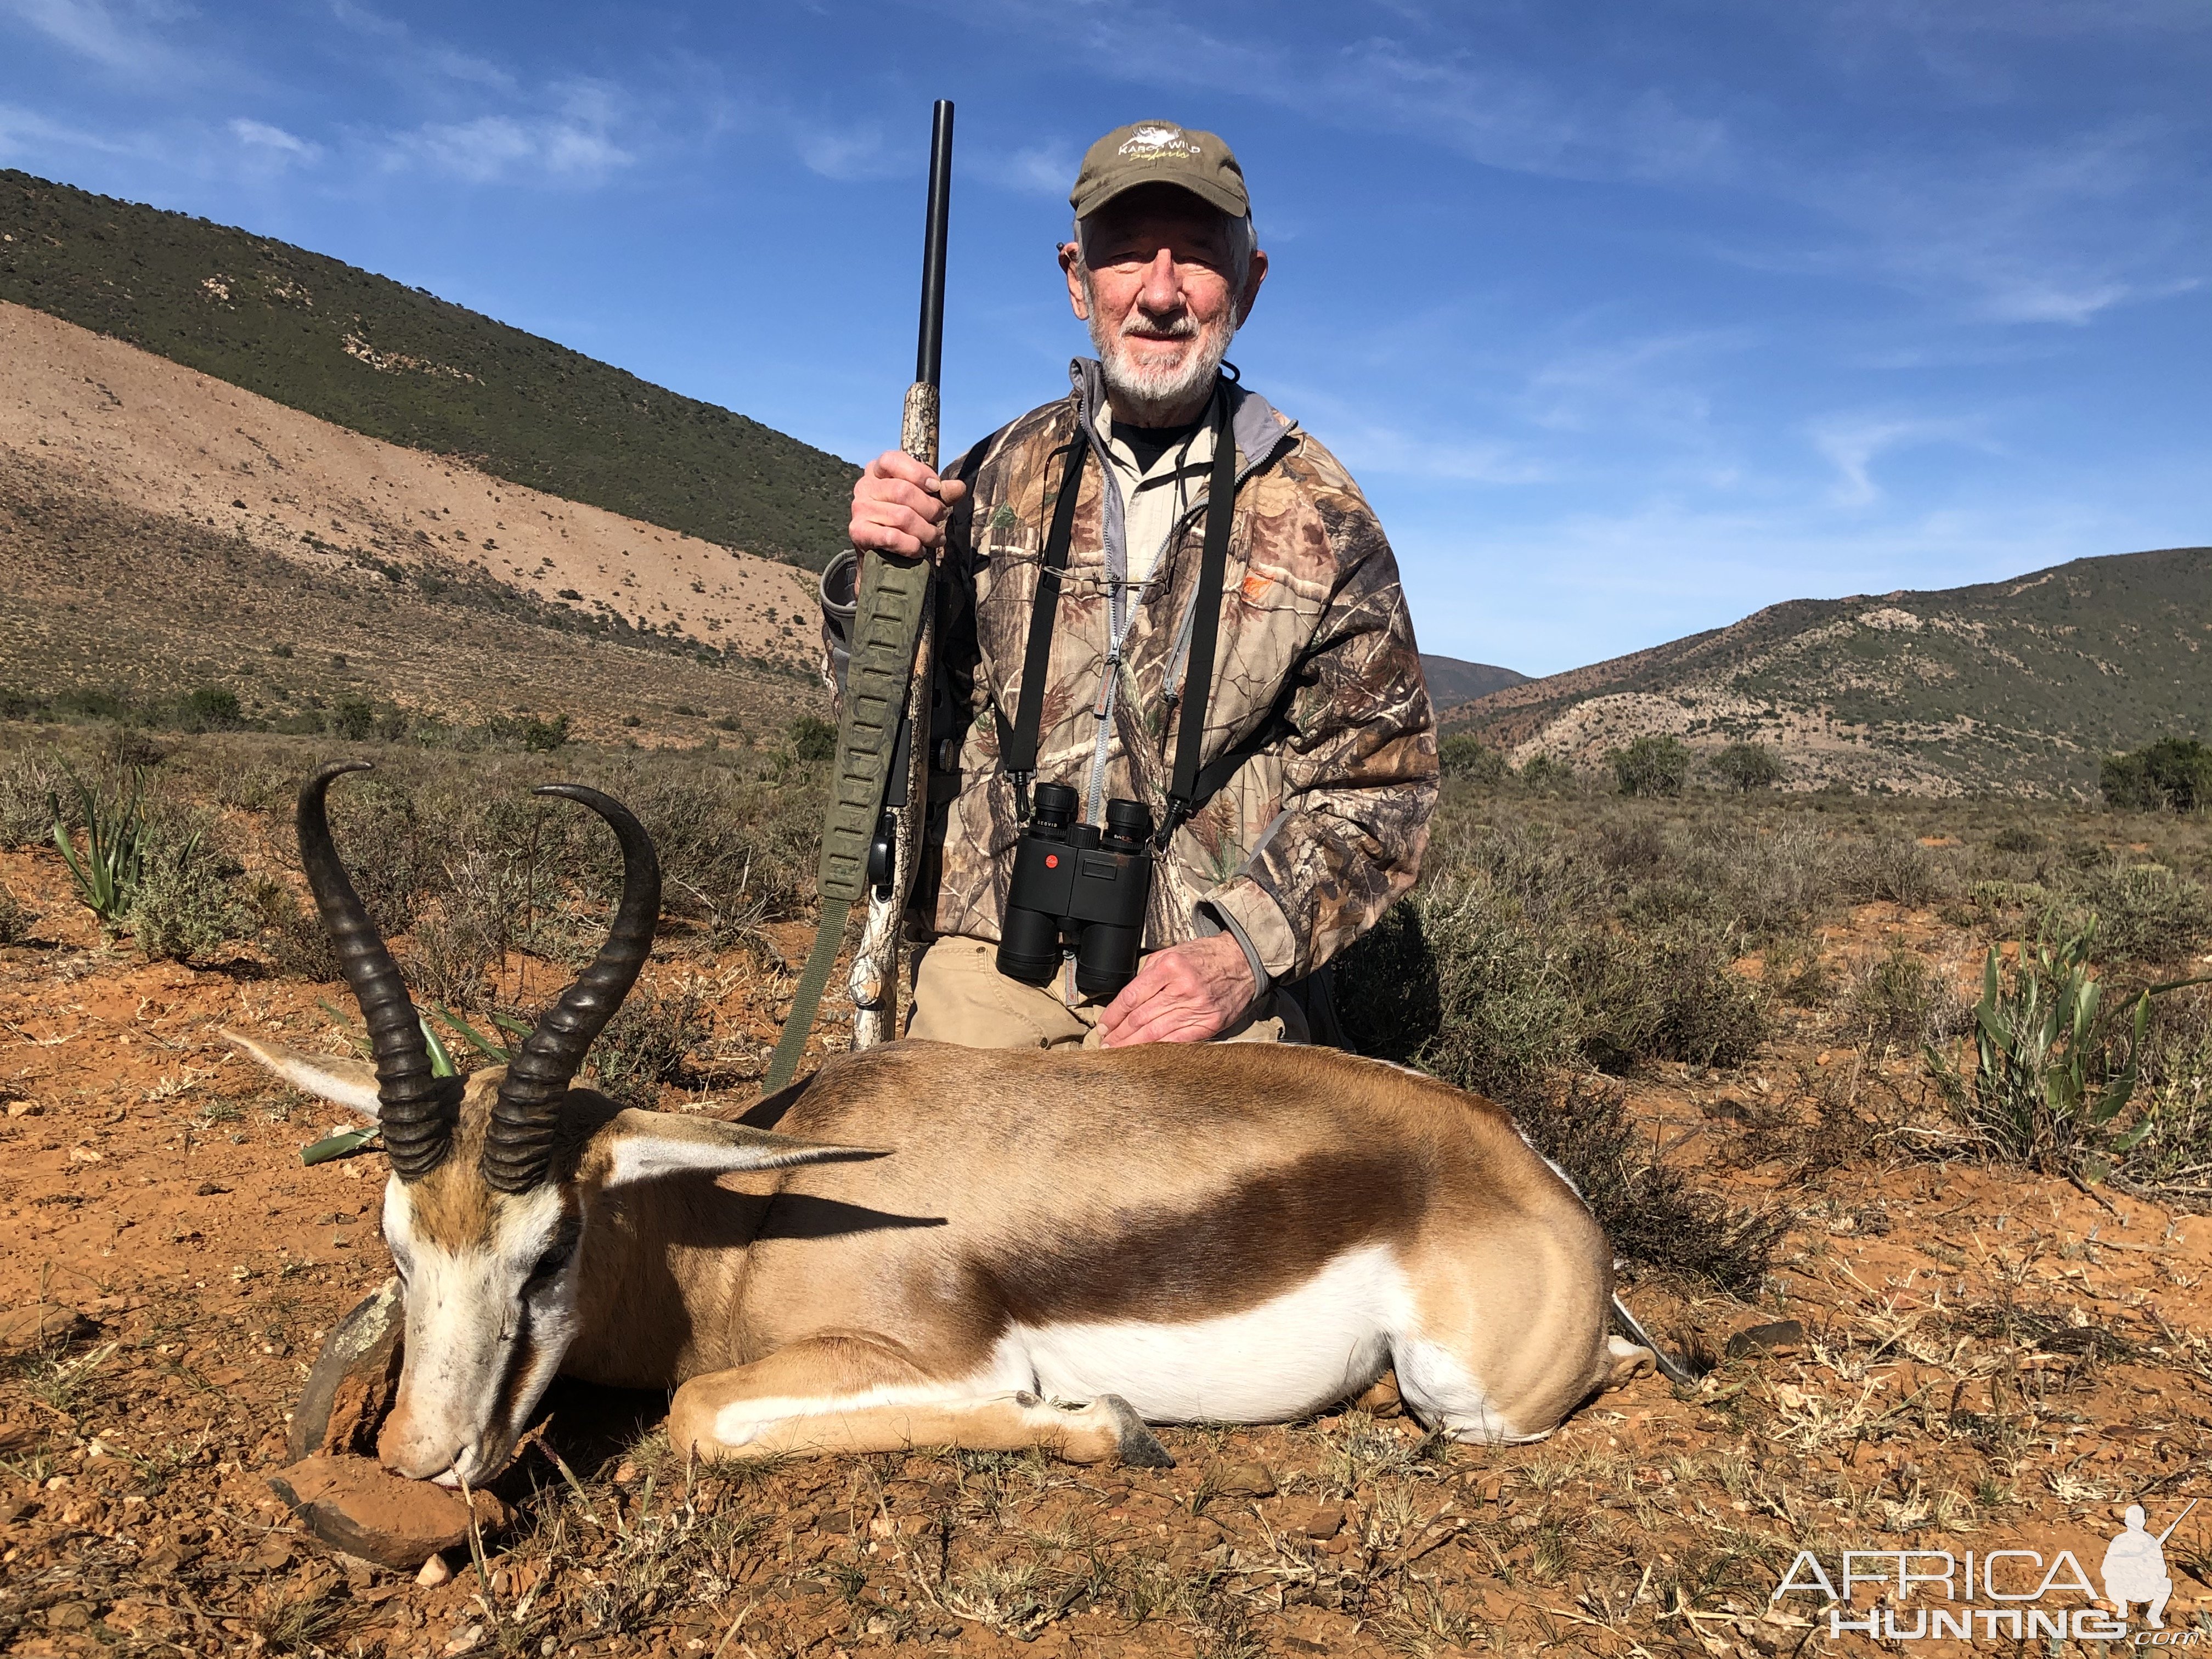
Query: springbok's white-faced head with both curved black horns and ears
{"x": 497, "y": 1180}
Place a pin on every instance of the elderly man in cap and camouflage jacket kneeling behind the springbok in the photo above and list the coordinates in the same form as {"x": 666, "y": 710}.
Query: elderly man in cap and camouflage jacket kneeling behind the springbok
{"x": 1317, "y": 698}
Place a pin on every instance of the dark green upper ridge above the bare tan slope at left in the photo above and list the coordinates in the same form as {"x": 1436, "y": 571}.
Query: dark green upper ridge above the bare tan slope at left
{"x": 404, "y": 366}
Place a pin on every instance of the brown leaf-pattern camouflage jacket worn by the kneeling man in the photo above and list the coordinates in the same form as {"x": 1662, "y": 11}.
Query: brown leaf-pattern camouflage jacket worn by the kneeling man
{"x": 1315, "y": 835}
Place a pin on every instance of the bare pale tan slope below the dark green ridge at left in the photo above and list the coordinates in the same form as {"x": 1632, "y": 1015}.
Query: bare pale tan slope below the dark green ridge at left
{"x": 165, "y": 532}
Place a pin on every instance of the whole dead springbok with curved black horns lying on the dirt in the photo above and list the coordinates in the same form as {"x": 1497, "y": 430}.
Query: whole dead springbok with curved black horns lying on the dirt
{"x": 950, "y": 1246}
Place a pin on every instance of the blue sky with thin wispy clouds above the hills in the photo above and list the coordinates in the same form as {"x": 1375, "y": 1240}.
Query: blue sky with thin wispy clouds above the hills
{"x": 1629, "y": 317}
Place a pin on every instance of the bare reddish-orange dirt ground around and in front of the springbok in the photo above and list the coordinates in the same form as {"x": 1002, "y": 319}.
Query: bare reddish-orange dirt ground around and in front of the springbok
{"x": 1987, "y": 1361}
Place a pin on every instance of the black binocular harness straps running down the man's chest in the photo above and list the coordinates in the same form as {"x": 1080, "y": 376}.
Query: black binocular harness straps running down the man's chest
{"x": 1019, "y": 744}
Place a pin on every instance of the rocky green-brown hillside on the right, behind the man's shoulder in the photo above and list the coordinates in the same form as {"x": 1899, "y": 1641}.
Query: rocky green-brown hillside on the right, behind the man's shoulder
{"x": 2007, "y": 685}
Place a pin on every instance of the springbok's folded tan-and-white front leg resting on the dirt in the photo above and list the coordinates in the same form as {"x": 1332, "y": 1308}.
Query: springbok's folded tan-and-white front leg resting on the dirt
{"x": 839, "y": 1395}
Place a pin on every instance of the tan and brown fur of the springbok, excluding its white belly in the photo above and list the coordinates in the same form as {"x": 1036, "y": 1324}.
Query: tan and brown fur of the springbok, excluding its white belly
{"x": 1039, "y": 1191}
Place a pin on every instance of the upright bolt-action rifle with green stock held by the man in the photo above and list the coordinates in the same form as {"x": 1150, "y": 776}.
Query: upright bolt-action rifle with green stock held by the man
{"x": 879, "y": 793}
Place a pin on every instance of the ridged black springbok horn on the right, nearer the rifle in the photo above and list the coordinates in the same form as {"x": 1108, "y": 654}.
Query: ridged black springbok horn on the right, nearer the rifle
{"x": 528, "y": 1112}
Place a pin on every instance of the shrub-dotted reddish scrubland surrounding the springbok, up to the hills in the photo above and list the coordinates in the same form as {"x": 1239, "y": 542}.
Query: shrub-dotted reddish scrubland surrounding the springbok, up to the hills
{"x": 1811, "y": 1058}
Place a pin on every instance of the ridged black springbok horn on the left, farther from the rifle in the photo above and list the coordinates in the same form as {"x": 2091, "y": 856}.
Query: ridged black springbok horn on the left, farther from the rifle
{"x": 417, "y": 1107}
